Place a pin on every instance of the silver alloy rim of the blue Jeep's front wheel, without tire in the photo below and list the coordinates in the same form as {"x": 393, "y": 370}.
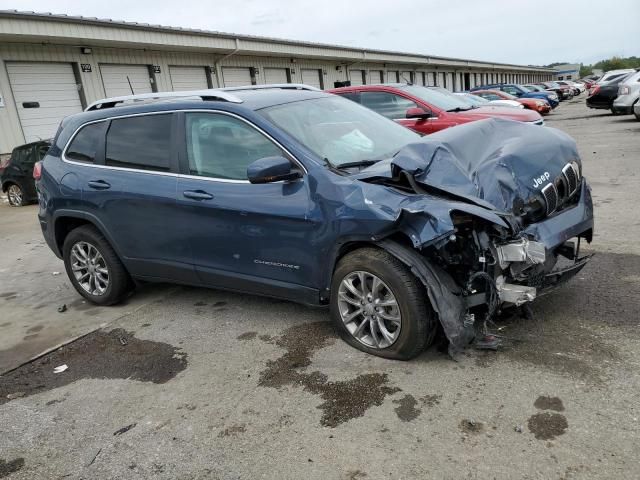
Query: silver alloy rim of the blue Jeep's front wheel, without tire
{"x": 369, "y": 310}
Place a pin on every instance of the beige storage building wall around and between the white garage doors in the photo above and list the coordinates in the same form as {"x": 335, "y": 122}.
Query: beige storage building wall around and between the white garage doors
{"x": 91, "y": 86}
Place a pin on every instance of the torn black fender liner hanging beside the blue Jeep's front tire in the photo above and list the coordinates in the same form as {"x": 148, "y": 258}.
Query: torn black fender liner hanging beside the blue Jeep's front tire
{"x": 446, "y": 297}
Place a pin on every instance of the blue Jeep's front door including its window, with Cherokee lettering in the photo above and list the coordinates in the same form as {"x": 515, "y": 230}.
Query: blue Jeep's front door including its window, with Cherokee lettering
{"x": 248, "y": 237}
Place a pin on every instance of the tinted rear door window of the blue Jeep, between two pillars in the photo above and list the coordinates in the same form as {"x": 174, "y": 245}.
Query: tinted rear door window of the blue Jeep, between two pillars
{"x": 142, "y": 142}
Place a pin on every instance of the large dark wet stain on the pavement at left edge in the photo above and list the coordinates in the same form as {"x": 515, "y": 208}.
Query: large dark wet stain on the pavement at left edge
{"x": 101, "y": 354}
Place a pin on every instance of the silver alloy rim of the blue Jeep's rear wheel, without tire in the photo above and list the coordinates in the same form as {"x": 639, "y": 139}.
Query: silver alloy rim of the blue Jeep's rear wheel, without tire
{"x": 89, "y": 268}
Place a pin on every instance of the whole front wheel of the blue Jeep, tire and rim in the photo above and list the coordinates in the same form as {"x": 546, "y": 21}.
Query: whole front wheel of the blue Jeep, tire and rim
{"x": 417, "y": 326}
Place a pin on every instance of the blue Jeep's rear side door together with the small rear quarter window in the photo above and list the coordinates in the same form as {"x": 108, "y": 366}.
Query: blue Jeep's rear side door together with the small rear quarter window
{"x": 126, "y": 168}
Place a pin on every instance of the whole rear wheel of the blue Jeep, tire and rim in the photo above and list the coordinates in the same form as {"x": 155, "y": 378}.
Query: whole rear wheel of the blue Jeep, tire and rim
{"x": 87, "y": 239}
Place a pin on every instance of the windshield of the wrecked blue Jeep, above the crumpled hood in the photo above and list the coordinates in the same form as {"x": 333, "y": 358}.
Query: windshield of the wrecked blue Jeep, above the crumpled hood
{"x": 340, "y": 130}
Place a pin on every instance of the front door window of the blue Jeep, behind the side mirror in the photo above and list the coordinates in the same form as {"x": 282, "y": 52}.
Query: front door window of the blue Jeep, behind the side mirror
{"x": 221, "y": 146}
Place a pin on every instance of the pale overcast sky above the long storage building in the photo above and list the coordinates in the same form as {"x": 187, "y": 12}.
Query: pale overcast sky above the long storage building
{"x": 509, "y": 31}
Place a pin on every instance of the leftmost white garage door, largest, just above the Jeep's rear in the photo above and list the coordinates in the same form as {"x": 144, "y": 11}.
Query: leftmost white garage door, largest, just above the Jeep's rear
{"x": 44, "y": 93}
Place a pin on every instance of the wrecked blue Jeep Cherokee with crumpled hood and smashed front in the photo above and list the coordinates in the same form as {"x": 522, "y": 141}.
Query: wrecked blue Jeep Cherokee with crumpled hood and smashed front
{"x": 294, "y": 193}
